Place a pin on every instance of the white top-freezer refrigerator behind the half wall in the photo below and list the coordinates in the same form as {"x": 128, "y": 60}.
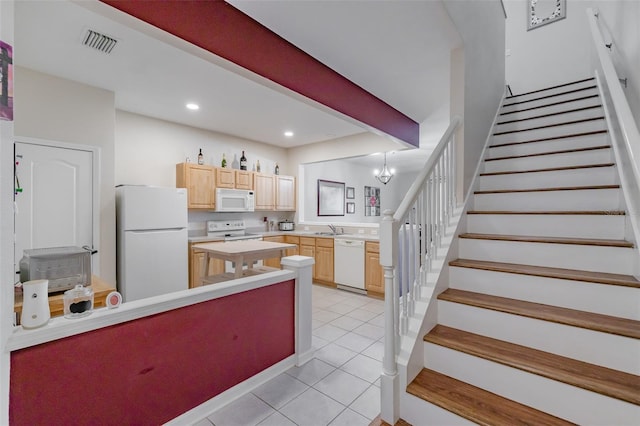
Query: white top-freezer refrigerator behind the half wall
{"x": 152, "y": 241}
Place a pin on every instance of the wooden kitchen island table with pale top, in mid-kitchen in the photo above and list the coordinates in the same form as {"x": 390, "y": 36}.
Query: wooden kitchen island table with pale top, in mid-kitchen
{"x": 240, "y": 252}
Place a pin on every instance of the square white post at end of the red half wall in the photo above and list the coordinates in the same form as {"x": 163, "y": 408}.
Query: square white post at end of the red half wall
{"x": 302, "y": 265}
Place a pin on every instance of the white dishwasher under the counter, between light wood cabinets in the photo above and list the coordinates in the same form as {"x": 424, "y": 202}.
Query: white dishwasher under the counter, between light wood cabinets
{"x": 348, "y": 263}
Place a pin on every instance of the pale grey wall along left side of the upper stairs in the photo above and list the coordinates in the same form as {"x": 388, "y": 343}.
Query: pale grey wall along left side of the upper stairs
{"x": 481, "y": 25}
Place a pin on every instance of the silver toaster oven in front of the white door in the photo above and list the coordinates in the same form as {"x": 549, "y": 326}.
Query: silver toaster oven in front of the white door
{"x": 64, "y": 267}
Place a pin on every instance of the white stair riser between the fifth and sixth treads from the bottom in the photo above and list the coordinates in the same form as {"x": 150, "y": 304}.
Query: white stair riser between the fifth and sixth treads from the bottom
{"x": 573, "y": 226}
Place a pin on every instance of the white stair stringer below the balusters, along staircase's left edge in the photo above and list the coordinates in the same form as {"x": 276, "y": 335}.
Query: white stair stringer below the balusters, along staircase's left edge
{"x": 410, "y": 359}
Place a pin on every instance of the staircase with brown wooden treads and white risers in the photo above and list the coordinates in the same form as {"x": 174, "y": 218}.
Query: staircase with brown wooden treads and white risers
{"x": 541, "y": 320}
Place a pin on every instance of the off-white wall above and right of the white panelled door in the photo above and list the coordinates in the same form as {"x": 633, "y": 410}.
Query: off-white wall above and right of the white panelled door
{"x": 56, "y": 109}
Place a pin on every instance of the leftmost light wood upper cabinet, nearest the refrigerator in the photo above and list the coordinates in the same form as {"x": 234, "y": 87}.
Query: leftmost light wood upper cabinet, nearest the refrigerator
{"x": 200, "y": 183}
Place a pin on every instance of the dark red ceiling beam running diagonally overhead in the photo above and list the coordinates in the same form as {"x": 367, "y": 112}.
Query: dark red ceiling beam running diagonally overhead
{"x": 227, "y": 32}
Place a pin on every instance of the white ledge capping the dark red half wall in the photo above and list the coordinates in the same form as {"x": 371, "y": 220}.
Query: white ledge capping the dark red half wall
{"x": 61, "y": 327}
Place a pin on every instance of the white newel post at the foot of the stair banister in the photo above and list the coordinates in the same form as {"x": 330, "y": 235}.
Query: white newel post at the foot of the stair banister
{"x": 389, "y": 380}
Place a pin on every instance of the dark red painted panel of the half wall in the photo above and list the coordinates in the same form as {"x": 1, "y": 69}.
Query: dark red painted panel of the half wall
{"x": 151, "y": 370}
